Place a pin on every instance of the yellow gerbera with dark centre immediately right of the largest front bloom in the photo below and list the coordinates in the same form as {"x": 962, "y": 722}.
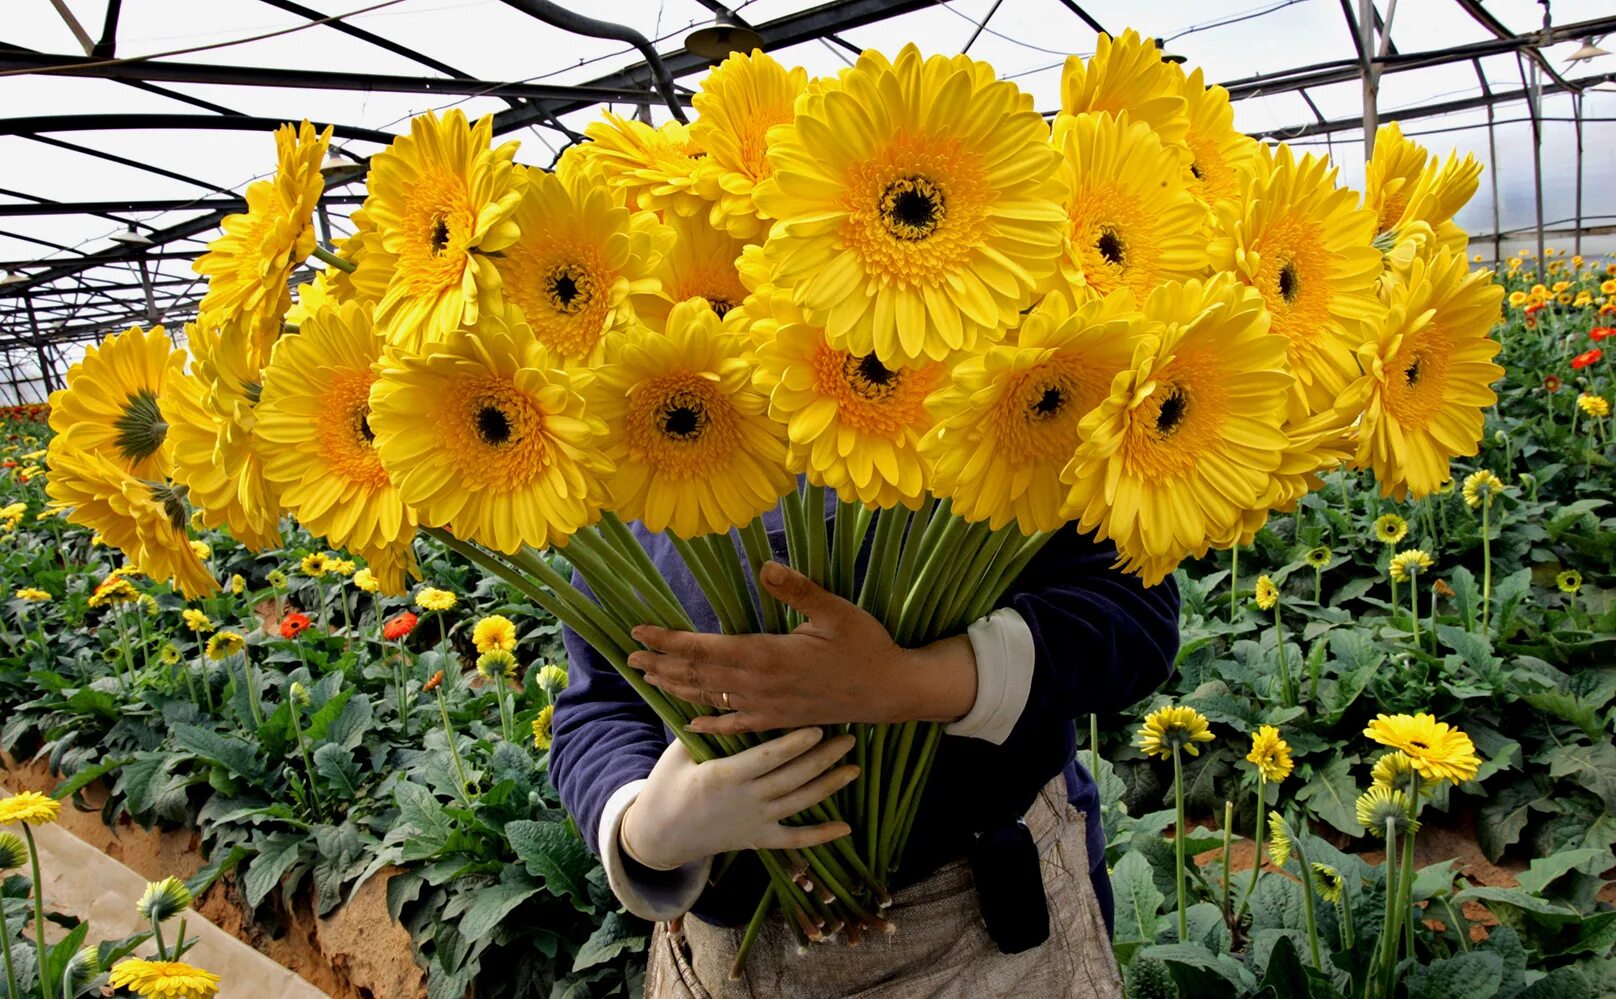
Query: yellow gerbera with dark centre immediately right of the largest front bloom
{"x": 1134, "y": 222}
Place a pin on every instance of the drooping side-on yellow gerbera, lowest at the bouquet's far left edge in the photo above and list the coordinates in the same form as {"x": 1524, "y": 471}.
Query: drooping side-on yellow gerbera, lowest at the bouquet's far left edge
{"x": 143, "y": 520}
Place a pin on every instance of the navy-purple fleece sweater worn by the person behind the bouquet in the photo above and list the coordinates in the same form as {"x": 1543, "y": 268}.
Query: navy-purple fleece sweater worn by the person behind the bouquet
{"x": 1103, "y": 641}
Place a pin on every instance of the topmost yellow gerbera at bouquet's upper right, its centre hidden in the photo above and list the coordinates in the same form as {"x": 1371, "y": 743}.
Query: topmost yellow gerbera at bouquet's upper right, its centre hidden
{"x": 1127, "y": 75}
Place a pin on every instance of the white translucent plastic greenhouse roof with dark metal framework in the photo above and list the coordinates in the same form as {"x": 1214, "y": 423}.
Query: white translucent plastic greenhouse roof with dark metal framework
{"x": 154, "y": 116}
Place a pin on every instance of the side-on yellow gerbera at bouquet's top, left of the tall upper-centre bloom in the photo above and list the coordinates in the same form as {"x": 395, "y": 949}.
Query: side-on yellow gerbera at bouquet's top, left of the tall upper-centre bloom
{"x": 655, "y": 169}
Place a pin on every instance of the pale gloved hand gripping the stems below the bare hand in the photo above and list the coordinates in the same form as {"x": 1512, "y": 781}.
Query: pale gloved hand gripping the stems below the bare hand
{"x": 692, "y": 811}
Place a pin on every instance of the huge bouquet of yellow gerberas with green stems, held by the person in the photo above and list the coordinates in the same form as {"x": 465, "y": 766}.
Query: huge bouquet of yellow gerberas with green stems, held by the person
{"x": 899, "y": 285}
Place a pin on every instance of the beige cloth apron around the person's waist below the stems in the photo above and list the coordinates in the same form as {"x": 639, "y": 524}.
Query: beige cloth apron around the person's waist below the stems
{"x": 941, "y": 946}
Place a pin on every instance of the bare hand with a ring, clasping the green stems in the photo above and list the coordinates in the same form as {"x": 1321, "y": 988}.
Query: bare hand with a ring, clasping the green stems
{"x": 840, "y": 667}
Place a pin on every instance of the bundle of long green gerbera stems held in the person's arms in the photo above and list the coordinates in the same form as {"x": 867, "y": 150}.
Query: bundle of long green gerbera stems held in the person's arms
{"x": 928, "y": 576}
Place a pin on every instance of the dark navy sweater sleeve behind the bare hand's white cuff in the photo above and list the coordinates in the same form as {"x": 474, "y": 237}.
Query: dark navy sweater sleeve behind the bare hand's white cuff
{"x": 1100, "y": 638}
